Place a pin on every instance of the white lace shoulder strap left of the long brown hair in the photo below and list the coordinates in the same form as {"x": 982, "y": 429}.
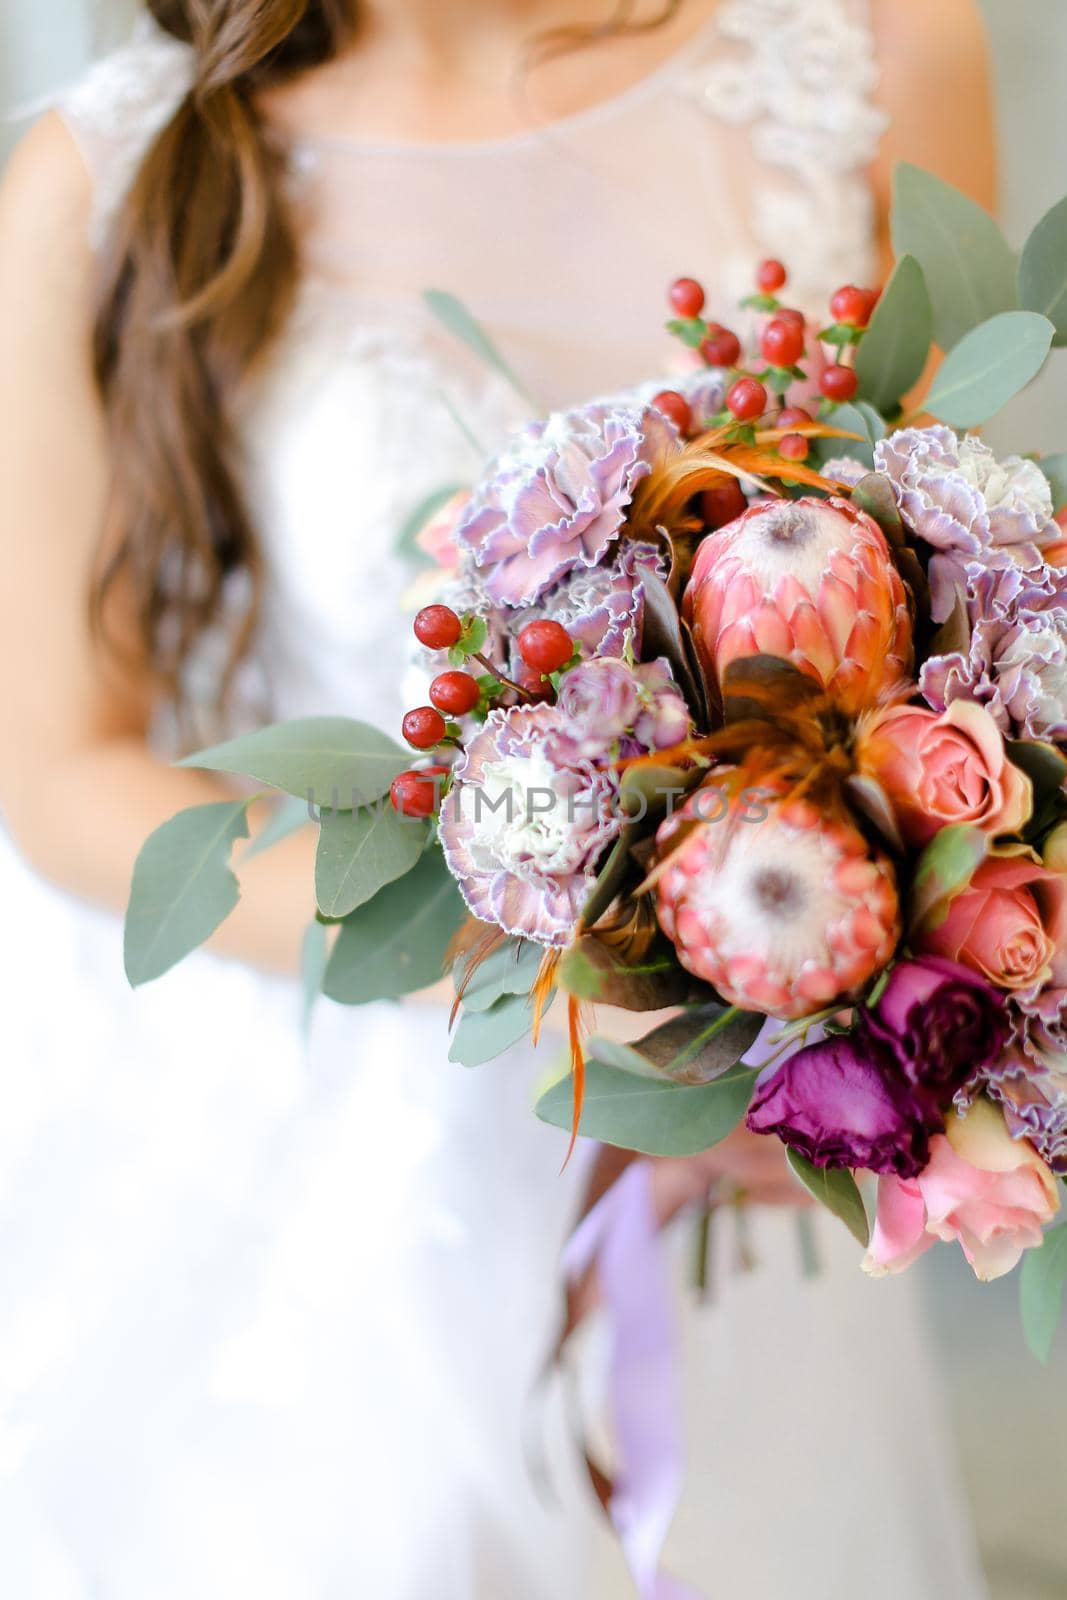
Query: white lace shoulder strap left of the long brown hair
{"x": 119, "y": 106}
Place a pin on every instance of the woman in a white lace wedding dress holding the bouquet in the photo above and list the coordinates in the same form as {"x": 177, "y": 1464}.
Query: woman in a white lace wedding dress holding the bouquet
{"x": 273, "y": 1311}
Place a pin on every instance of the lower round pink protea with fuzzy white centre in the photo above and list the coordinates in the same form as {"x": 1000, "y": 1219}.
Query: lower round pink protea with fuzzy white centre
{"x": 780, "y": 910}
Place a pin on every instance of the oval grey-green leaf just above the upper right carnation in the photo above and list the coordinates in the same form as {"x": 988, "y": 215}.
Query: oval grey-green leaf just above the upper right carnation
{"x": 988, "y": 367}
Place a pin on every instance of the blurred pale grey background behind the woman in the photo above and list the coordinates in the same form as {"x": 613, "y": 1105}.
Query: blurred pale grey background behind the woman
{"x": 1010, "y": 1415}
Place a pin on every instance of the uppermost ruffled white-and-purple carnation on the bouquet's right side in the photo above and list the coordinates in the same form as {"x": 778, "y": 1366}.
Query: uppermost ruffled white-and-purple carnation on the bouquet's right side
{"x": 964, "y": 503}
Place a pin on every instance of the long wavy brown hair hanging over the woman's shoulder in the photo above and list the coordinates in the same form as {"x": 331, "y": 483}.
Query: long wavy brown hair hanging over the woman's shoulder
{"x": 196, "y": 281}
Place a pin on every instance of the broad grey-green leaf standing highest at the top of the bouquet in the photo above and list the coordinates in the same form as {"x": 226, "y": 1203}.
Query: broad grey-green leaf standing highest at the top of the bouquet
{"x": 967, "y": 262}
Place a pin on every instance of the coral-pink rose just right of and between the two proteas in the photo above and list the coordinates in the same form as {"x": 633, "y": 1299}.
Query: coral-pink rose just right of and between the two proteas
{"x": 946, "y": 769}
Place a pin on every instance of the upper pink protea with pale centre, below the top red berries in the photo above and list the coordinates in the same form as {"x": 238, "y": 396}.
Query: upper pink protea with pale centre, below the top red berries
{"x": 810, "y": 582}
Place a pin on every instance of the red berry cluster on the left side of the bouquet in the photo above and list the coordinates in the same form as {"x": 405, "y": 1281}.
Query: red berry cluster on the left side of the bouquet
{"x": 545, "y": 649}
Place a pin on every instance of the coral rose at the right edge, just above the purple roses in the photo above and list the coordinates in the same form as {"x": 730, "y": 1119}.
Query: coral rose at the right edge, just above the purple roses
{"x": 1010, "y": 924}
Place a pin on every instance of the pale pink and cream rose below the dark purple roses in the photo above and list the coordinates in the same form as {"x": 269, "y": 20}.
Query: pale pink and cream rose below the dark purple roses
{"x": 981, "y": 1186}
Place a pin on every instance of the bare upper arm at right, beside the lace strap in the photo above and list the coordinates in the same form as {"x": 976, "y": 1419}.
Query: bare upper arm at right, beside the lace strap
{"x": 935, "y": 84}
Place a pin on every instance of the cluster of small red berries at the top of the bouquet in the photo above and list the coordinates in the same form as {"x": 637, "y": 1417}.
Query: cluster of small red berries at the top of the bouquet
{"x": 783, "y": 345}
